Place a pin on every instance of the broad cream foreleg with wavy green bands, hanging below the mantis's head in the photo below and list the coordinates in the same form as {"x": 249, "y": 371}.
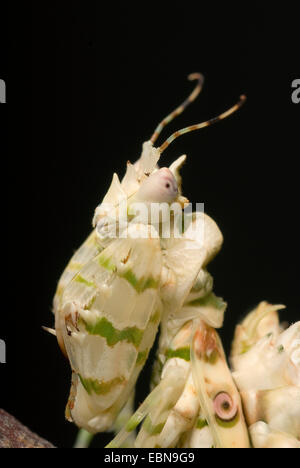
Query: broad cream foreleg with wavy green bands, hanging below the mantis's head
{"x": 108, "y": 318}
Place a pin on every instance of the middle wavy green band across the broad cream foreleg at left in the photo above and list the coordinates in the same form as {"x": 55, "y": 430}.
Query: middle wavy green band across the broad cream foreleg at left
{"x": 112, "y": 335}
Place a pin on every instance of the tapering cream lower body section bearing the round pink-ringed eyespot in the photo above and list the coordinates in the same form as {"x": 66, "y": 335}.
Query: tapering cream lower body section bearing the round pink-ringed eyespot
{"x": 196, "y": 400}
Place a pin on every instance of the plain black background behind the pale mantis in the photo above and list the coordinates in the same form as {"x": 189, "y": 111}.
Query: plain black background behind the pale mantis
{"x": 98, "y": 80}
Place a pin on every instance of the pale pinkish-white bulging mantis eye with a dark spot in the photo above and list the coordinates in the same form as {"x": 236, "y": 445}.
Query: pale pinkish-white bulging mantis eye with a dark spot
{"x": 159, "y": 187}
